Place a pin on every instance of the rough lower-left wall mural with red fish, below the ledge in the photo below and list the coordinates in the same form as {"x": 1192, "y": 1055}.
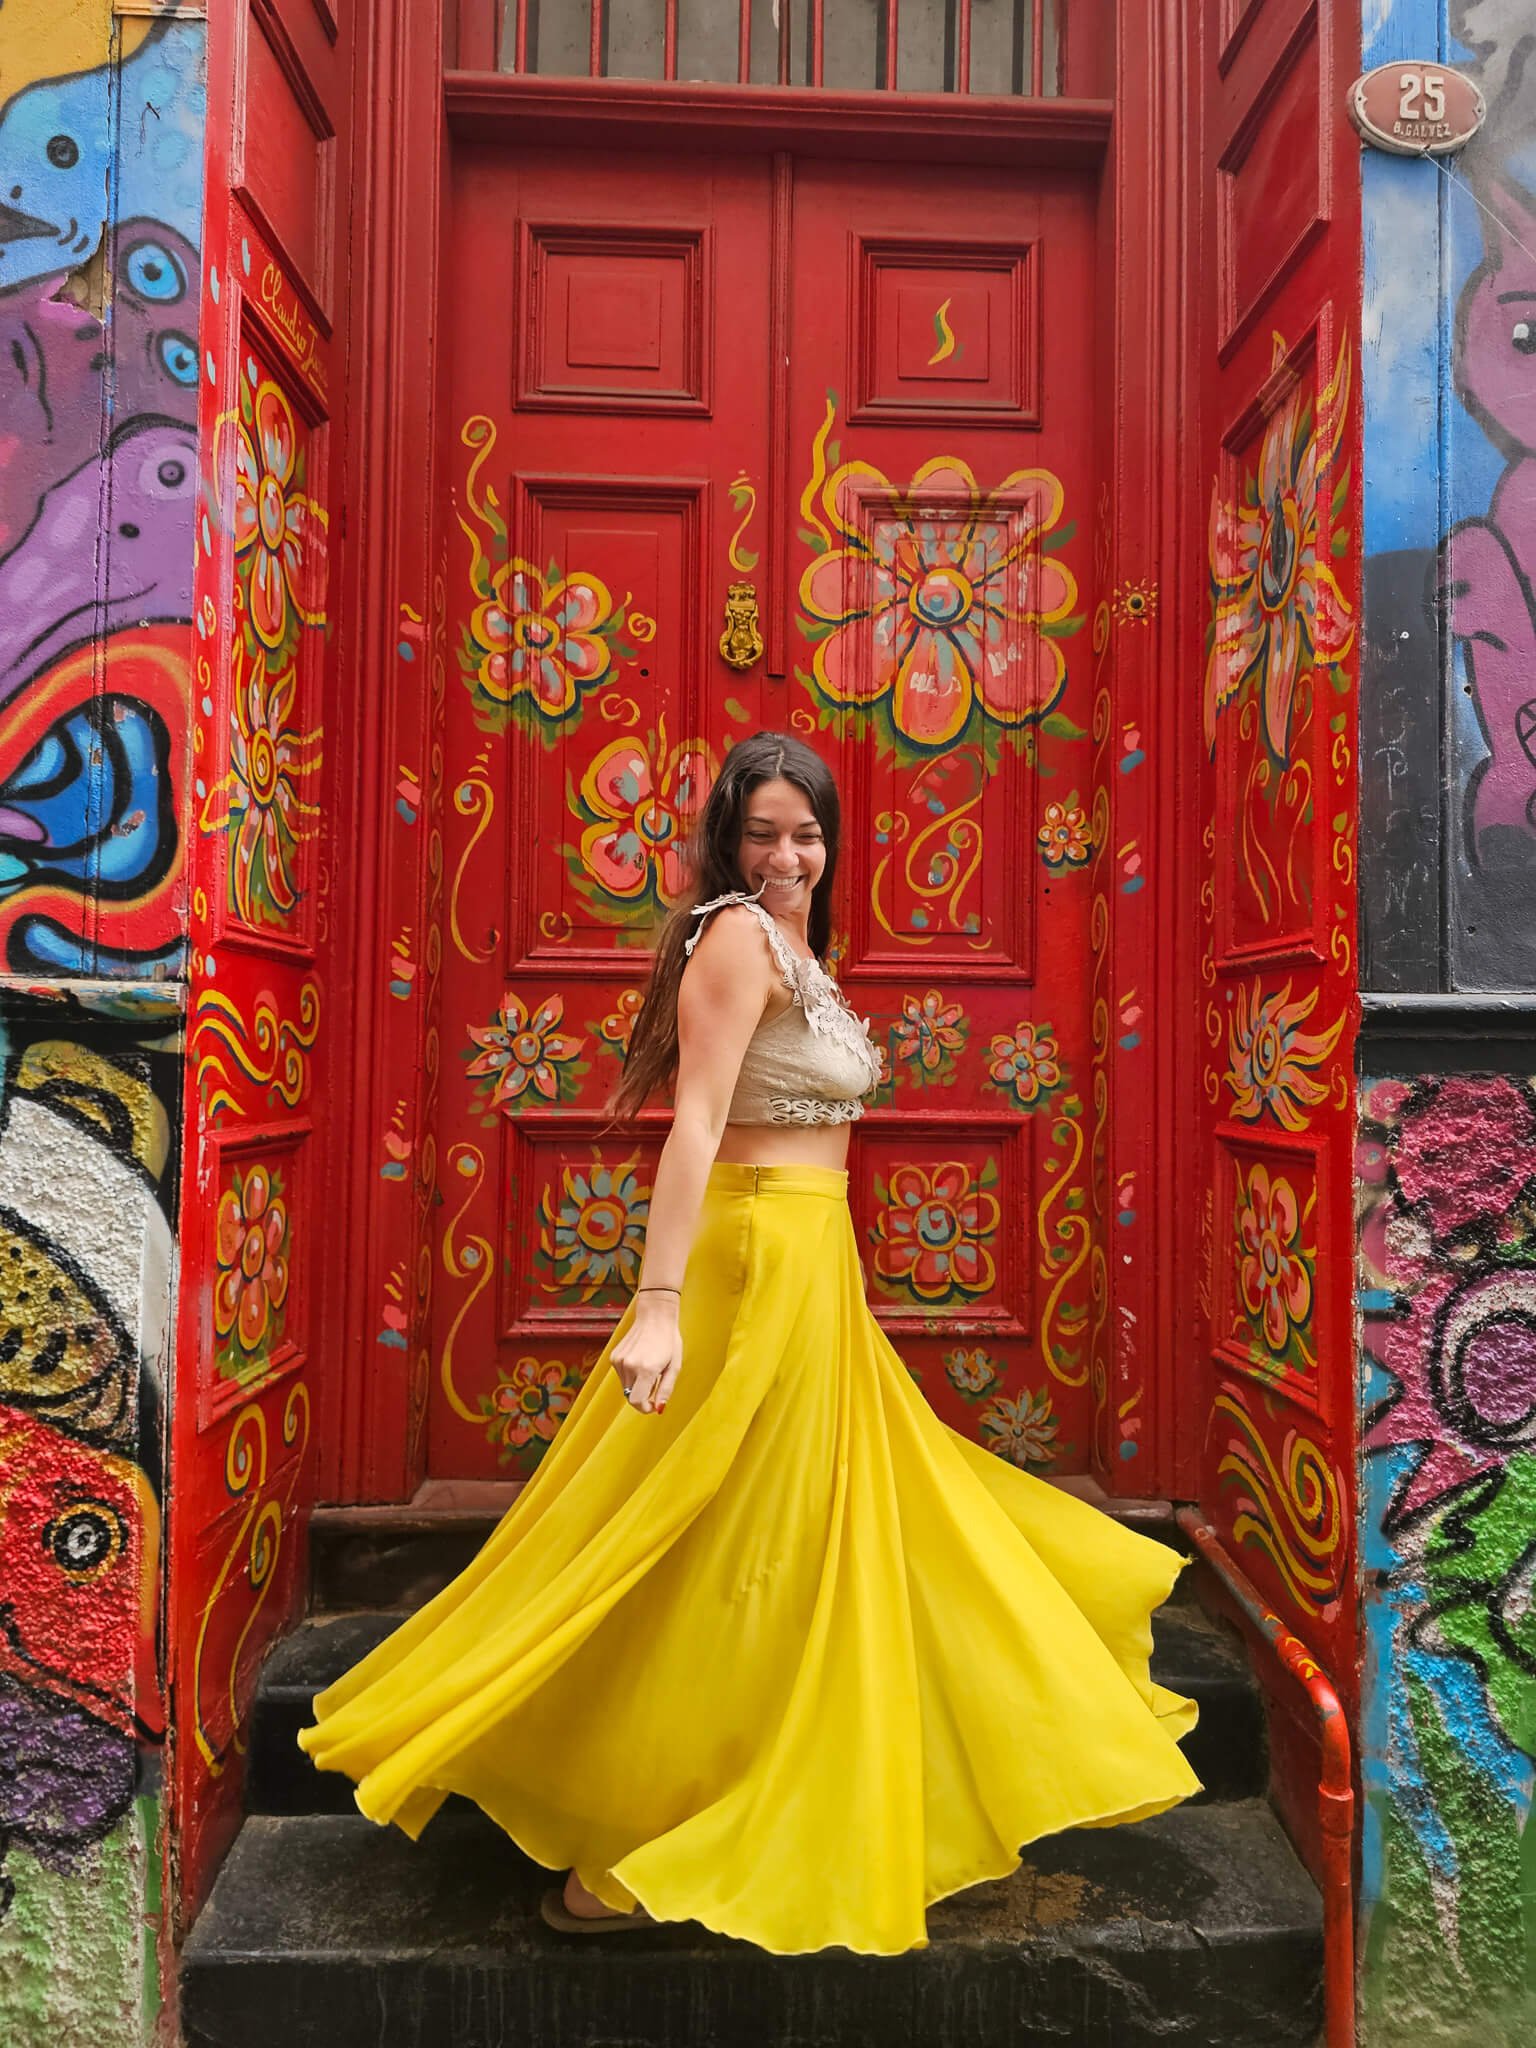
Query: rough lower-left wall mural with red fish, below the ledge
{"x": 87, "y": 1168}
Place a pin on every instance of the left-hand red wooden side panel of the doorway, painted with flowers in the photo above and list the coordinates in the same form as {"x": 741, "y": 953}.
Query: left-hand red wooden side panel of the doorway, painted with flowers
{"x": 255, "y": 1209}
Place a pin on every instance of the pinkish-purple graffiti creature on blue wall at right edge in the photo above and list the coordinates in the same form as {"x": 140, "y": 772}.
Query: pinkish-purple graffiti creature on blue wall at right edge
{"x": 1490, "y": 564}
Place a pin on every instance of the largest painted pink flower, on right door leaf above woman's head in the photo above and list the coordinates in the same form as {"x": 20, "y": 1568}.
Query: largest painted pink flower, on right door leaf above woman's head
{"x": 941, "y": 609}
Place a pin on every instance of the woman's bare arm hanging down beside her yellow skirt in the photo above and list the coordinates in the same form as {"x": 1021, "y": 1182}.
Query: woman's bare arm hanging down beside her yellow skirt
{"x": 722, "y": 1000}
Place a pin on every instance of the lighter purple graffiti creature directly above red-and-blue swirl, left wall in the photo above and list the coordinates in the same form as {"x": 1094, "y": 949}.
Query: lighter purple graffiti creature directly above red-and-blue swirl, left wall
{"x": 110, "y": 550}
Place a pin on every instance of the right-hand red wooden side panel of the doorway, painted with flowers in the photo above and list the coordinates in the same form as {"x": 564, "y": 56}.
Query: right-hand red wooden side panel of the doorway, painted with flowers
{"x": 1277, "y": 349}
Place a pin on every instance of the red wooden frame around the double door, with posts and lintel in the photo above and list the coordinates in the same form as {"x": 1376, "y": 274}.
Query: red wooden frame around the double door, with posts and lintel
{"x": 1146, "y": 945}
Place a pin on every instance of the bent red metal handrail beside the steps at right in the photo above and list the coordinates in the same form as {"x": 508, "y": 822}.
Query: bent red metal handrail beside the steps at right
{"x": 1334, "y": 1787}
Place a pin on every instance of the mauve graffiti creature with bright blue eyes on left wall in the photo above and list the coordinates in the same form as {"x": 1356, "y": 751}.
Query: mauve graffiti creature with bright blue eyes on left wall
{"x": 56, "y": 366}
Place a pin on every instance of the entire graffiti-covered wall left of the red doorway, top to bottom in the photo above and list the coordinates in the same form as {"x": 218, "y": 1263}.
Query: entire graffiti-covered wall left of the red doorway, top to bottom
{"x": 101, "y": 196}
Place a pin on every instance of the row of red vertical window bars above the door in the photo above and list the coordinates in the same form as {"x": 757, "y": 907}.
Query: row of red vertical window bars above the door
{"x": 1027, "y": 73}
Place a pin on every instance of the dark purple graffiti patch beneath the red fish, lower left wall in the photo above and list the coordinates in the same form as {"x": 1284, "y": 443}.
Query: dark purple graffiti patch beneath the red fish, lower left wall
{"x": 67, "y": 1779}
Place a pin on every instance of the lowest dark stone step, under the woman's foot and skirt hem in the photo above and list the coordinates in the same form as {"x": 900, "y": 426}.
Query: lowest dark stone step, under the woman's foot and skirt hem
{"x": 325, "y": 1932}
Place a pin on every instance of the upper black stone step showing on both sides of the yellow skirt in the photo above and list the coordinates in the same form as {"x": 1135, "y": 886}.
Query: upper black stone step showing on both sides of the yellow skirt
{"x": 1193, "y": 1656}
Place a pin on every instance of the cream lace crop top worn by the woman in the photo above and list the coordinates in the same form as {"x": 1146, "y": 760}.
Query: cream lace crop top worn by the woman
{"x": 814, "y": 1062}
